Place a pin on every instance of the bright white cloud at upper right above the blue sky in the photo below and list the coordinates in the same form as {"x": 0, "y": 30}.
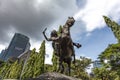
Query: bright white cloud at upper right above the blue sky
{"x": 95, "y": 9}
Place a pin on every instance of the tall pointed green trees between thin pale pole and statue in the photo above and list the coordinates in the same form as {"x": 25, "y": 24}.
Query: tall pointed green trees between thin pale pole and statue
{"x": 35, "y": 63}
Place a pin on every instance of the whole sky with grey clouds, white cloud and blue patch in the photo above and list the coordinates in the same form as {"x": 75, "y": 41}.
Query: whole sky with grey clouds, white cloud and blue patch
{"x": 31, "y": 17}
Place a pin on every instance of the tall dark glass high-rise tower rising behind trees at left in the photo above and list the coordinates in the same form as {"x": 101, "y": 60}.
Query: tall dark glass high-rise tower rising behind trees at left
{"x": 18, "y": 45}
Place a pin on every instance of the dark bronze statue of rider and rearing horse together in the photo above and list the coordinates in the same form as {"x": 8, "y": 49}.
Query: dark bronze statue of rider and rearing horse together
{"x": 63, "y": 44}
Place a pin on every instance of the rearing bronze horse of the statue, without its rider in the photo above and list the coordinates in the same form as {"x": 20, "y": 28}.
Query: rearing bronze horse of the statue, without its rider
{"x": 67, "y": 49}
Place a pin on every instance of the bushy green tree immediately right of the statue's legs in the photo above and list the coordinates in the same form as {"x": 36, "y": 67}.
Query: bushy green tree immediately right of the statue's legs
{"x": 79, "y": 70}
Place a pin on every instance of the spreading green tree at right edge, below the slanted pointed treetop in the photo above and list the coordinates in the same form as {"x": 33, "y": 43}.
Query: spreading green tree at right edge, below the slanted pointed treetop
{"x": 112, "y": 54}
